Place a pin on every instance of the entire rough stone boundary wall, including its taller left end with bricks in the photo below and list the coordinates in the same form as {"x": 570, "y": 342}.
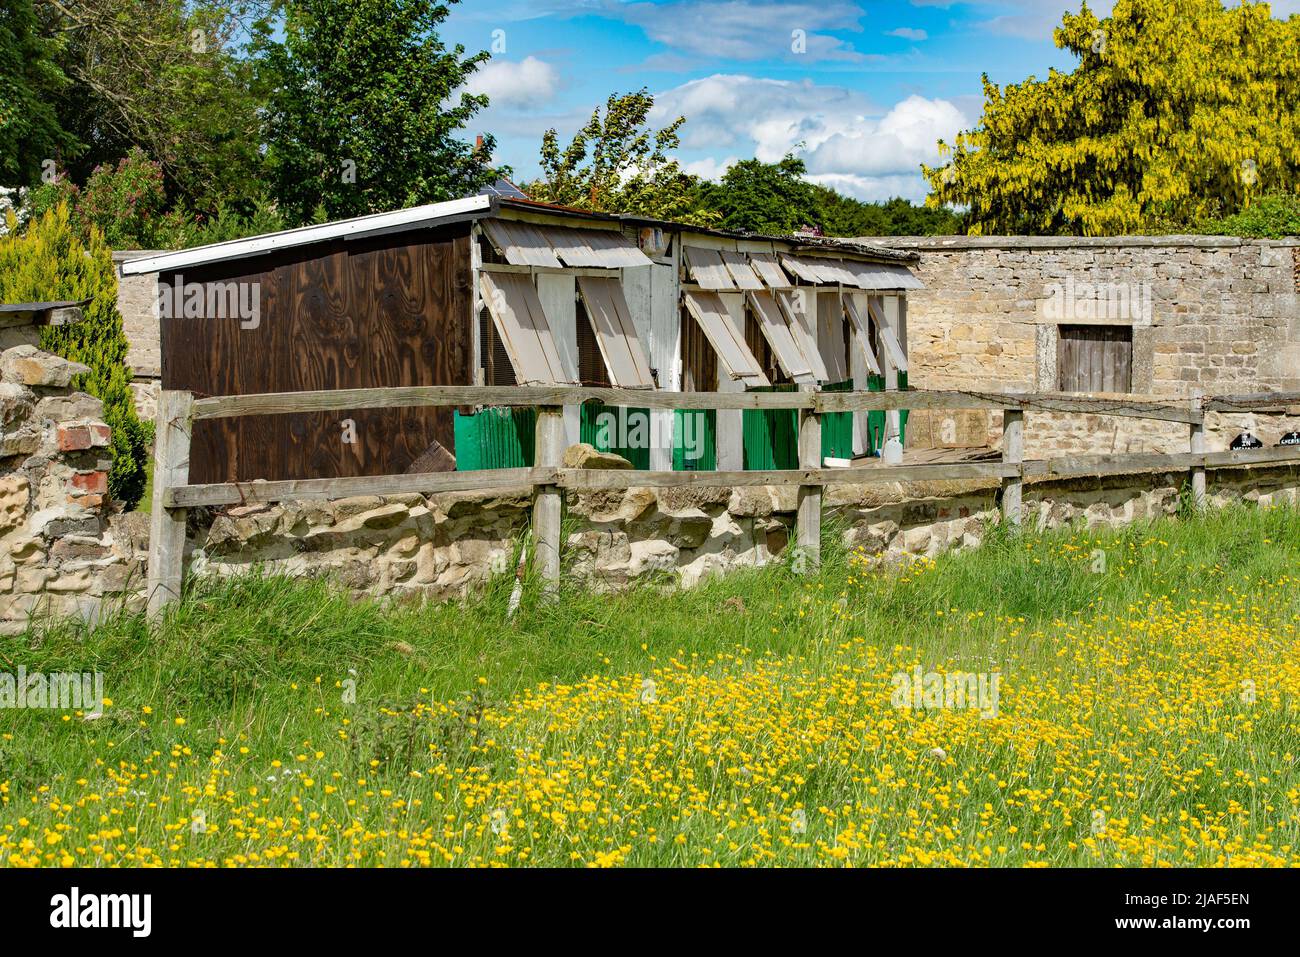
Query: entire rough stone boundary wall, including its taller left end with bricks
{"x": 66, "y": 552}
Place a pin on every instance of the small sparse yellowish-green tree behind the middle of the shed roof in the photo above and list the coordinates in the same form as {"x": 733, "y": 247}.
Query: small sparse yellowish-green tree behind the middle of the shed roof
{"x": 617, "y": 163}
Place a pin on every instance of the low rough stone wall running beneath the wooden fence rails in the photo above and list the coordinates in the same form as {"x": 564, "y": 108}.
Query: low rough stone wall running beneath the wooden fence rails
{"x": 440, "y": 547}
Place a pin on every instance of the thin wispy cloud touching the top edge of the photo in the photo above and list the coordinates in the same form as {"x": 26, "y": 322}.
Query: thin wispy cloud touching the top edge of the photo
{"x": 747, "y": 29}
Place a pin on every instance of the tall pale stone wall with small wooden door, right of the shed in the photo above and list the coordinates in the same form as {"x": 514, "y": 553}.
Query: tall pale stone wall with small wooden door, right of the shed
{"x": 1216, "y": 314}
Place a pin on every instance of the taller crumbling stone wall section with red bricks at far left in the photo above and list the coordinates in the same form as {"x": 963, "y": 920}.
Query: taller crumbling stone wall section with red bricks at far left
{"x": 59, "y": 552}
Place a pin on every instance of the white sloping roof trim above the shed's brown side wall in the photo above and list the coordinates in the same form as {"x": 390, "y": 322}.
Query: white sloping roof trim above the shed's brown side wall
{"x": 344, "y": 229}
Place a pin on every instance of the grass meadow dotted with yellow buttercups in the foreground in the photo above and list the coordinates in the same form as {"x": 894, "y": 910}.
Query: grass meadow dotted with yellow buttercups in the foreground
{"x": 1147, "y": 714}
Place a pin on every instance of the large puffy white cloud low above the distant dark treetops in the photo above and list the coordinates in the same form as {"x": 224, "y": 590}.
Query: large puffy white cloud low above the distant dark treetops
{"x": 848, "y": 142}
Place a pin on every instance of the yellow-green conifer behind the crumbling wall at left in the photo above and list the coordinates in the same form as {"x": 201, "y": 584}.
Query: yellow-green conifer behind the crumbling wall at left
{"x": 50, "y": 262}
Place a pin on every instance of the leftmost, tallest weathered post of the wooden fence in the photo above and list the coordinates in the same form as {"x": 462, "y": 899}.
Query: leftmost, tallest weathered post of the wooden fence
{"x": 167, "y": 526}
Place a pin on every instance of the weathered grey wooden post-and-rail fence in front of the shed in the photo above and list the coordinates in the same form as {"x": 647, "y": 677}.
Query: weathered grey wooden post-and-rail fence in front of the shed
{"x": 180, "y": 410}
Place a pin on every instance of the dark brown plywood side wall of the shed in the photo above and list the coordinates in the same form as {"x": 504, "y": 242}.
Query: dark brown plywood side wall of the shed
{"x": 344, "y": 315}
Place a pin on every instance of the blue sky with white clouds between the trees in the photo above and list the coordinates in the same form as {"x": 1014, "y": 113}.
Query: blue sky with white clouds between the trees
{"x": 877, "y": 85}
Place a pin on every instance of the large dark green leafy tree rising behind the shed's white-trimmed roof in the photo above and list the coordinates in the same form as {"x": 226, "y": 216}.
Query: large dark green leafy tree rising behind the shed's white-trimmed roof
{"x": 365, "y": 107}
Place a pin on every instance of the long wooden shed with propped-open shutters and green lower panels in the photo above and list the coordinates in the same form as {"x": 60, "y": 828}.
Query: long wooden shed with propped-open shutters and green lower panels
{"x": 496, "y": 291}
